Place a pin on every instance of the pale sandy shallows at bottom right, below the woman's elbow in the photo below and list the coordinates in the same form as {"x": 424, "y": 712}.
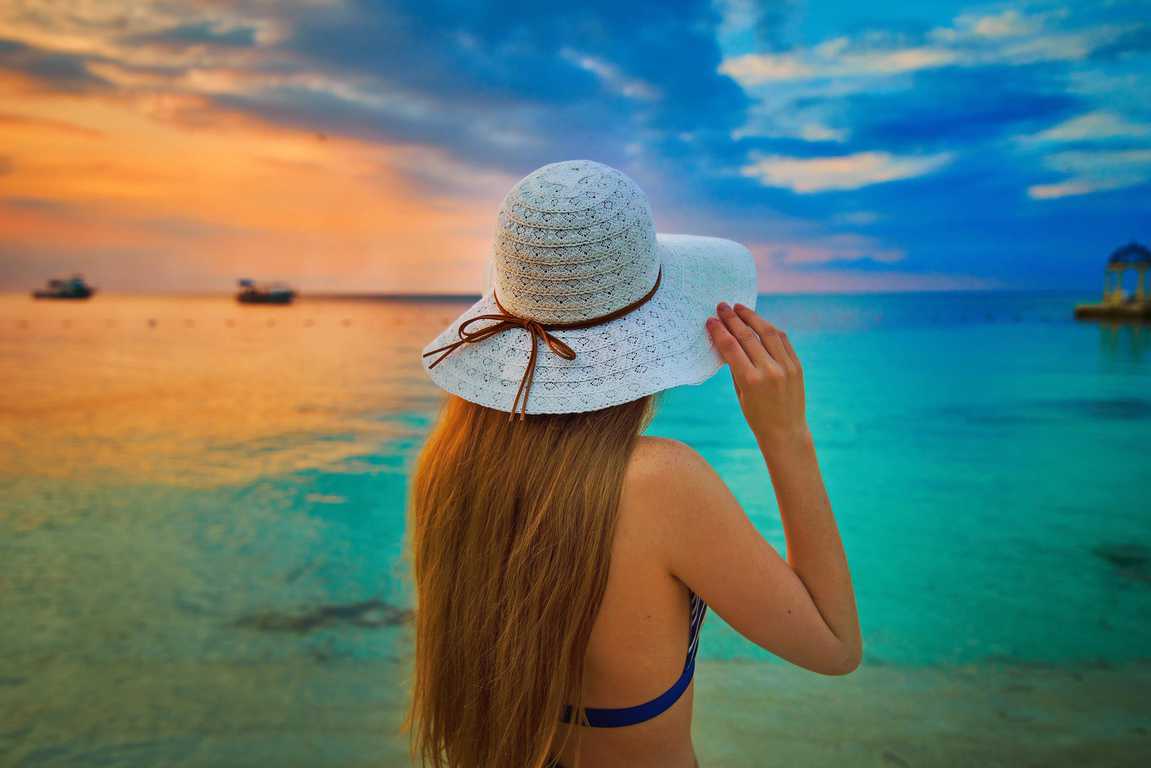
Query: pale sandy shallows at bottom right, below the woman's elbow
{"x": 988, "y": 716}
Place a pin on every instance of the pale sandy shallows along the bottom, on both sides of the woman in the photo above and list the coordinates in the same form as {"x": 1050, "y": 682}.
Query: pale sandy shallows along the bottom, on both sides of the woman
{"x": 748, "y": 716}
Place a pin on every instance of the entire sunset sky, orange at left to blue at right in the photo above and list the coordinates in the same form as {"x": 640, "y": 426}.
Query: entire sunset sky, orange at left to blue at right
{"x": 361, "y": 146}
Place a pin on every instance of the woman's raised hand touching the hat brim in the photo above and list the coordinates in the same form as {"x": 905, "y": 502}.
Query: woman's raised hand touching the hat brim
{"x": 766, "y": 371}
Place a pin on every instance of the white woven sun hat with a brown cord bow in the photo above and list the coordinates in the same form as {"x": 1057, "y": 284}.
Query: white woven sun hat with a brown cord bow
{"x": 586, "y": 305}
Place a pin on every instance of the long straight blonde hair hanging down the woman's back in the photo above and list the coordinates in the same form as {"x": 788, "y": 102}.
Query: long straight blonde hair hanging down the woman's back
{"x": 512, "y": 527}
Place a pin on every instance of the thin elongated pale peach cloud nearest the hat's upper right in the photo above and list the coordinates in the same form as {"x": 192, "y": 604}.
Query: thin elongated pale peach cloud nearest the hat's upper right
{"x": 839, "y": 173}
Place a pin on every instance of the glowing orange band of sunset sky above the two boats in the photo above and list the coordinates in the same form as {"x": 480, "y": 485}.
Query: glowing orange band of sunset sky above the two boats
{"x": 211, "y": 193}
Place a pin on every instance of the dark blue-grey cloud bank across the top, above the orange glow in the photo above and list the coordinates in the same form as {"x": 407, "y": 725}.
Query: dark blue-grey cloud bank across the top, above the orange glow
{"x": 639, "y": 85}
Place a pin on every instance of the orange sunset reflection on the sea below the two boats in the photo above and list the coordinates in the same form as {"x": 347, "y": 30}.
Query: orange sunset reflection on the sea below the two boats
{"x": 203, "y": 393}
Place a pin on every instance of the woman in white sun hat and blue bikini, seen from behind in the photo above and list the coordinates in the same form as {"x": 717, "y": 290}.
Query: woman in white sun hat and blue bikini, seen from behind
{"x": 565, "y": 564}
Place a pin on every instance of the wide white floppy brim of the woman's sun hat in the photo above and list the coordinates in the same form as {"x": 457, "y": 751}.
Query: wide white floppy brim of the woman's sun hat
{"x": 661, "y": 345}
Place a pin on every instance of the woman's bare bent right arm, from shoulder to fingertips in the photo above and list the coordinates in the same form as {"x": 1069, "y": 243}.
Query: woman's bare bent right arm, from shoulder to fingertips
{"x": 803, "y": 610}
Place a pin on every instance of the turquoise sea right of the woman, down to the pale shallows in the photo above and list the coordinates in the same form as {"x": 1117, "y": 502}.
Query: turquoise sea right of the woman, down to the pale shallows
{"x": 987, "y": 460}
